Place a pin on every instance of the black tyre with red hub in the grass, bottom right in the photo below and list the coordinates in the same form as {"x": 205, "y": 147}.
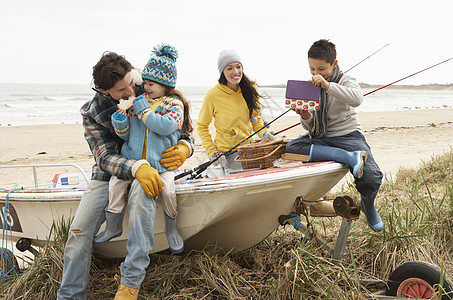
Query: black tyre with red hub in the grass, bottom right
{"x": 418, "y": 279}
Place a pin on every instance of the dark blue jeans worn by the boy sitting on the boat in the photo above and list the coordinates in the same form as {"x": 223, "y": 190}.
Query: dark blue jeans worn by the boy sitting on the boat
{"x": 371, "y": 180}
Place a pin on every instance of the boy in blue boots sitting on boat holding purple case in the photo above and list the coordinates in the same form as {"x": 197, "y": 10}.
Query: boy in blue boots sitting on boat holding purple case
{"x": 334, "y": 132}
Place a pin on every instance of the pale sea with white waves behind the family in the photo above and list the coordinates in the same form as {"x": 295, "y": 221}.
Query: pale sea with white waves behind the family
{"x": 45, "y": 104}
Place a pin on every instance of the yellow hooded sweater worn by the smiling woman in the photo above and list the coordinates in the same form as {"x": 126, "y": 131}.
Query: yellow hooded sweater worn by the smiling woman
{"x": 231, "y": 119}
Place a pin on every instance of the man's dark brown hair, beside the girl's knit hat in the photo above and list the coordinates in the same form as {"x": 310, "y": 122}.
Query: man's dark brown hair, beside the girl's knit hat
{"x": 110, "y": 69}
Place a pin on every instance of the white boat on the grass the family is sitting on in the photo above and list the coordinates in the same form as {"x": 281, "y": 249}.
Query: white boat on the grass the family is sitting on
{"x": 234, "y": 211}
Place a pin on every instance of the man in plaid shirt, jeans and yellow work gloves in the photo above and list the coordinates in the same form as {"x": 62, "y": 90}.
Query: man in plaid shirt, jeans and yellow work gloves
{"x": 113, "y": 81}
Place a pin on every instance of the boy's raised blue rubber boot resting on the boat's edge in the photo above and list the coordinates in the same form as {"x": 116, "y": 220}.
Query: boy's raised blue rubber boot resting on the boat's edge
{"x": 356, "y": 159}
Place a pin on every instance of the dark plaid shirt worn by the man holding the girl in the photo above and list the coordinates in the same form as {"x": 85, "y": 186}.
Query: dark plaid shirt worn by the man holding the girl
{"x": 103, "y": 141}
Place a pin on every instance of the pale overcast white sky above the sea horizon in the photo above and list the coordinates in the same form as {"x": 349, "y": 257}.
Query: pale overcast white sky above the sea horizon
{"x": 59, "y": 41}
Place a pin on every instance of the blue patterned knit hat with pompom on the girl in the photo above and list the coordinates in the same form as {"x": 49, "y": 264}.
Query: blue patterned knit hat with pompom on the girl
{"x": 161, "y": 67}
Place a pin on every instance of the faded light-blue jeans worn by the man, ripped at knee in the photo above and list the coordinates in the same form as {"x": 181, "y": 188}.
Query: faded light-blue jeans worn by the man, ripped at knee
{"x": 87, "y": 221}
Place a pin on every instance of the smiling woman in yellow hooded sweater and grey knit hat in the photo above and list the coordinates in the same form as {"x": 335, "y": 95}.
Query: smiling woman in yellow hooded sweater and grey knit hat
{"x": 234, "y": 104}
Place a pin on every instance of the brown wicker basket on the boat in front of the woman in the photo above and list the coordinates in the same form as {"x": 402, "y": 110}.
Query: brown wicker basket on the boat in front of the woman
{"x": 260, "y": 155}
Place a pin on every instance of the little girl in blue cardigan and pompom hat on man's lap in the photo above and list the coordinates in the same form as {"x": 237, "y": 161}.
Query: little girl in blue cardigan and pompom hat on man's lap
{"x": 153, "y": 124}
